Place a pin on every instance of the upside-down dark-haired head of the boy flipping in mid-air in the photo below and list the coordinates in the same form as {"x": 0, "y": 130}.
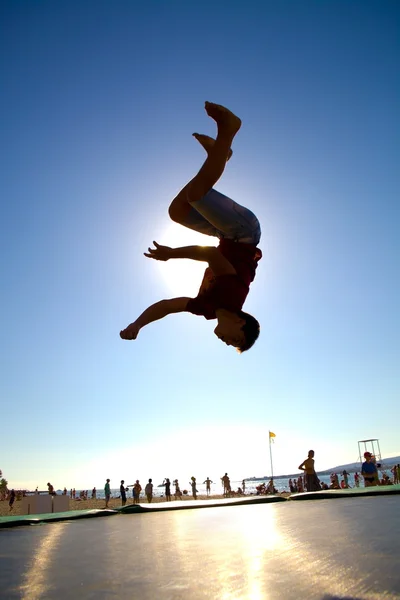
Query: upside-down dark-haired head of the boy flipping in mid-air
{"x": 237, "y": 329}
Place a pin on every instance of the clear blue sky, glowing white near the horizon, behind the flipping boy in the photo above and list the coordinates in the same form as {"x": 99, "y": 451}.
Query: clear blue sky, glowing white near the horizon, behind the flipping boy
{"x": 98, "y": 103}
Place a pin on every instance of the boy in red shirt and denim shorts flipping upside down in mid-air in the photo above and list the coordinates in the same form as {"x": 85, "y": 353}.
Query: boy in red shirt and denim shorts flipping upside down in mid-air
{"x": 232, "y": 265}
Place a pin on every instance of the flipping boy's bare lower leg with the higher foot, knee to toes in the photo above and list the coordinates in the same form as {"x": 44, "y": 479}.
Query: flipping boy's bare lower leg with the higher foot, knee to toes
{"x": 228, "y": 125}
